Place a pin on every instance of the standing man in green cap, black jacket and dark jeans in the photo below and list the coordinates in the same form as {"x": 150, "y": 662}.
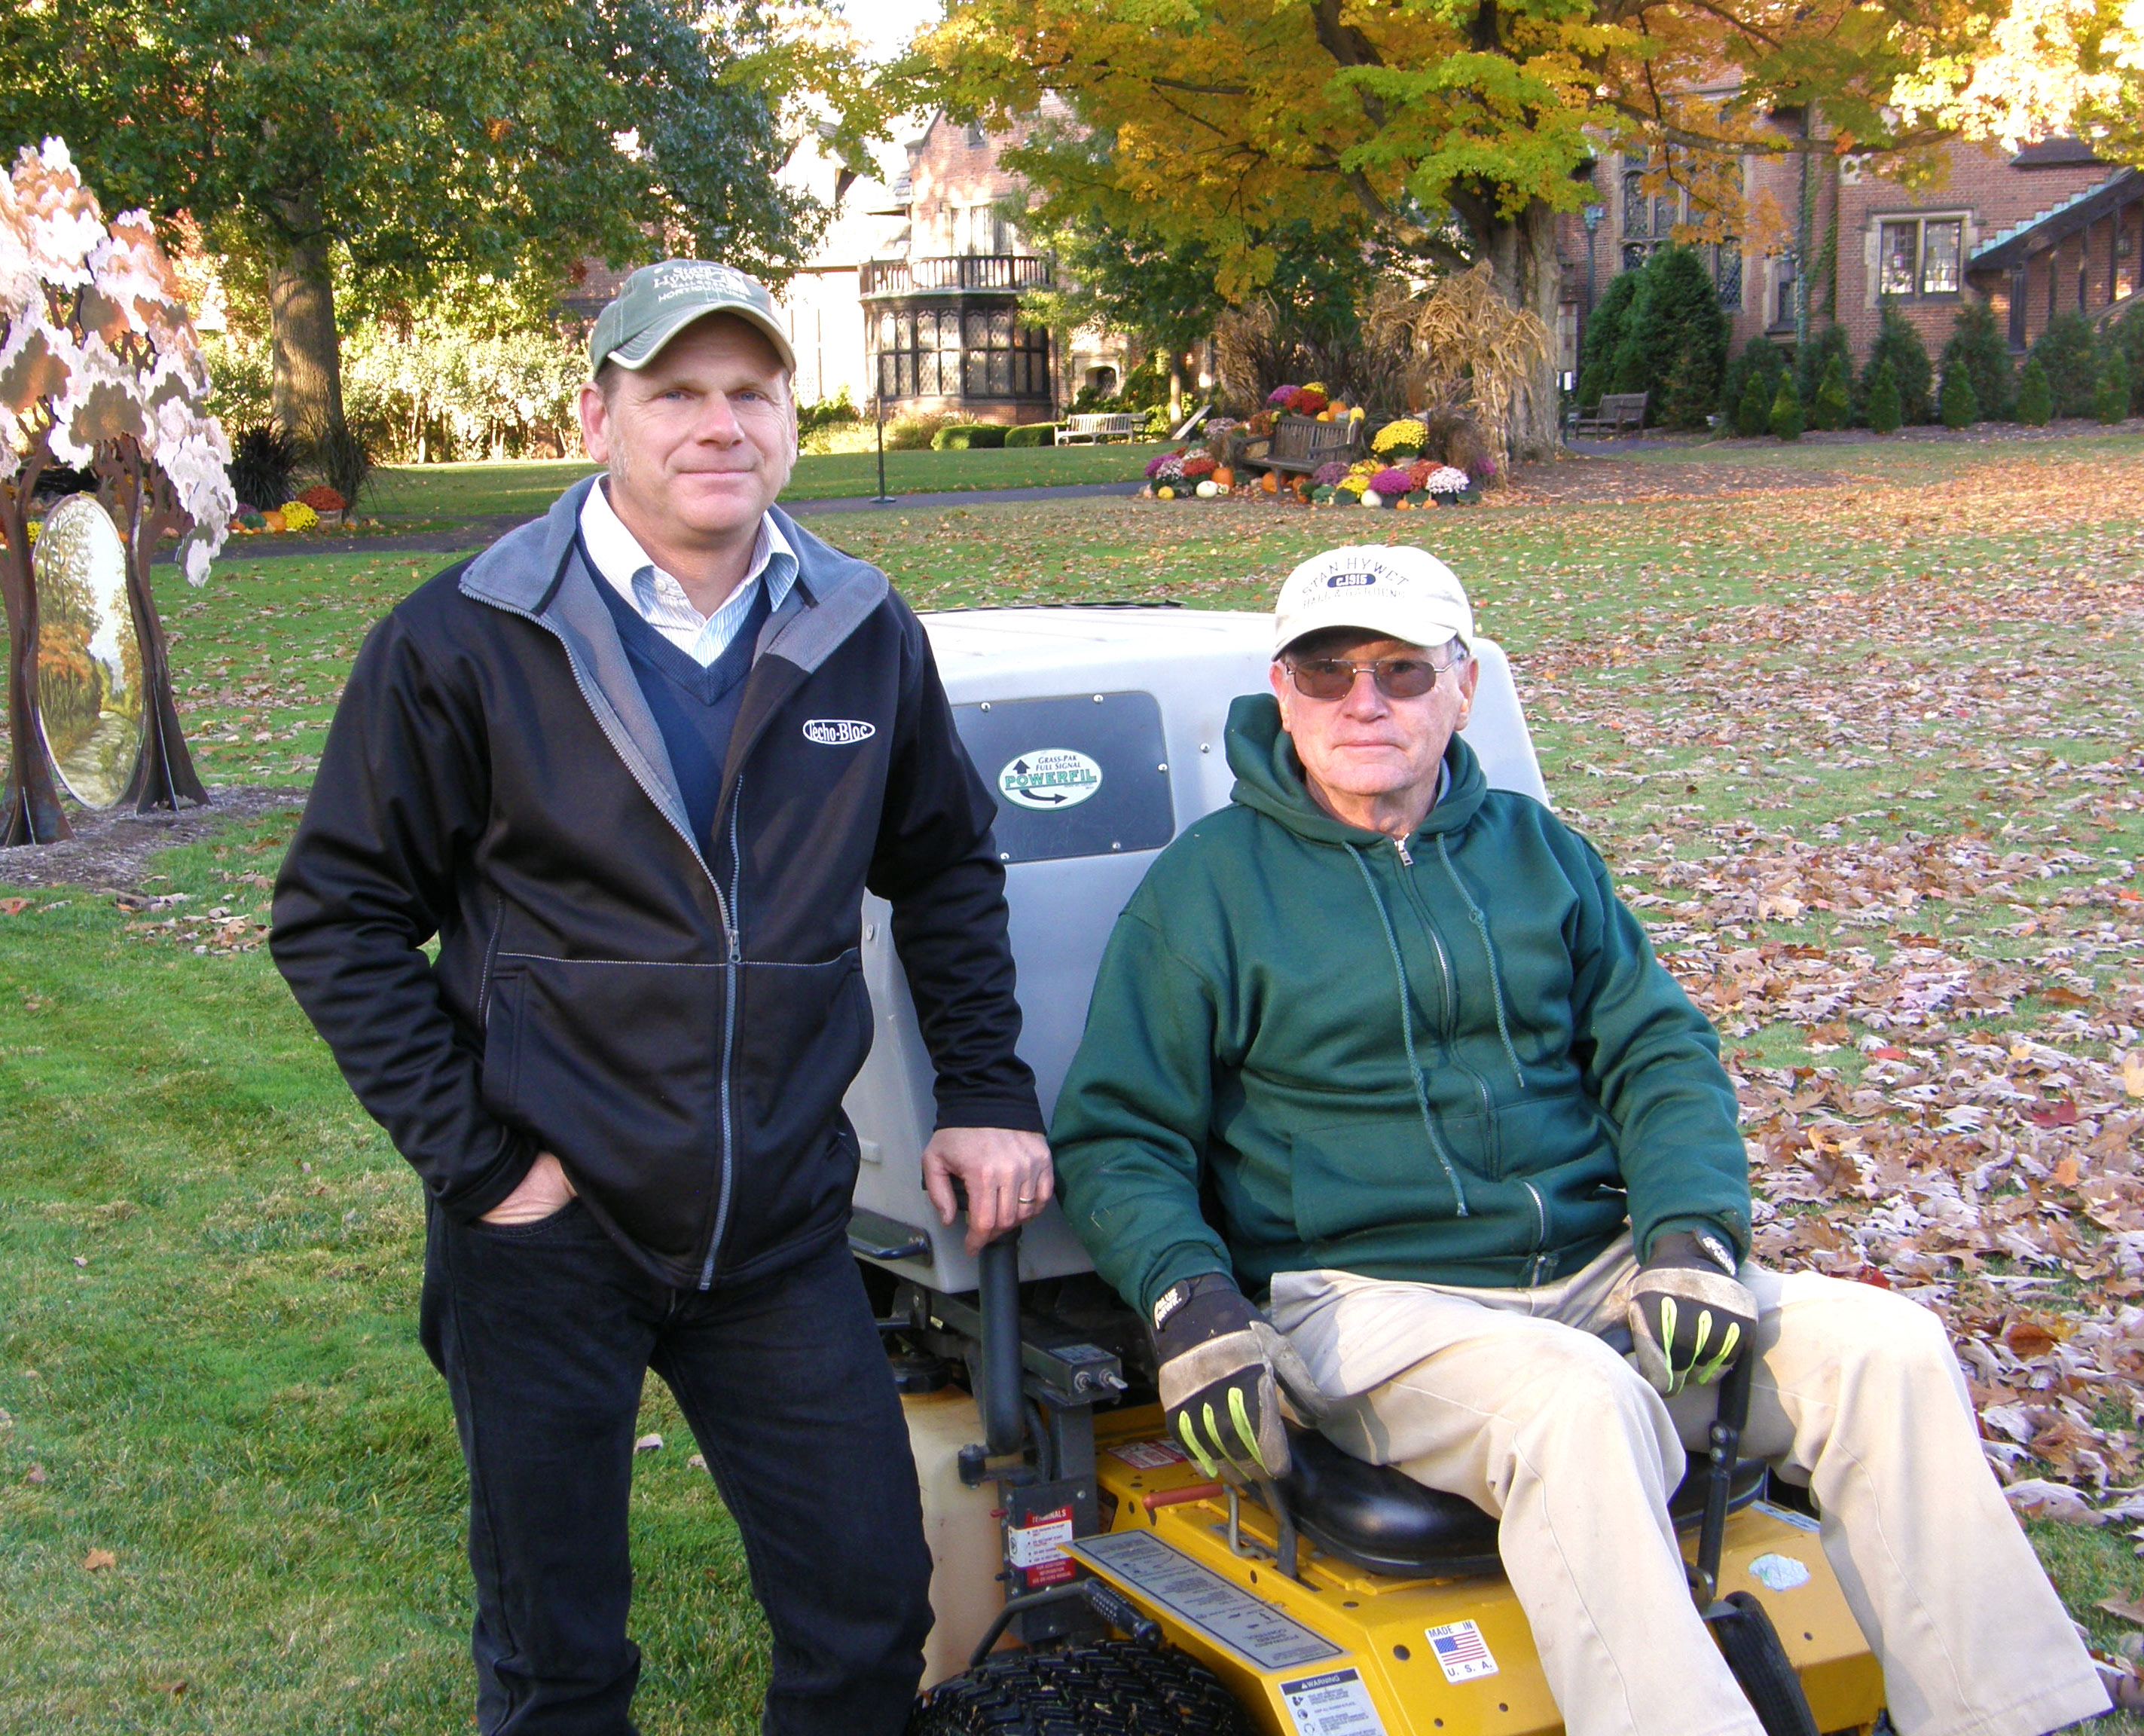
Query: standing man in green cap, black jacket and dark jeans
{"x": 636, "y": 766}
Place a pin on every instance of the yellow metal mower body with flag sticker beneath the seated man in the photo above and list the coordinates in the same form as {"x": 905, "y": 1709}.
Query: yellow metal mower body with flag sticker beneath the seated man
{"x": 1425, "y": 1656}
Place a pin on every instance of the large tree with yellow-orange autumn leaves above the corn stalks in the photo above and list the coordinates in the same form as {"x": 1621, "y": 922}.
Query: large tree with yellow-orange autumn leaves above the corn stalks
{"x": 1457, "y": 132}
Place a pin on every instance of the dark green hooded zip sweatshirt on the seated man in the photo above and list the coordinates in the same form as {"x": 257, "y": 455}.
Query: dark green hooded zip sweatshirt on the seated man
{"x": 1453, "y": 1062}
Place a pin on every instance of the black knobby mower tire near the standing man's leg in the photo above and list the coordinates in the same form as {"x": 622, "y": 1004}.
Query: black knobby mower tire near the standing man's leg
{"x": 1110, "y": 1690}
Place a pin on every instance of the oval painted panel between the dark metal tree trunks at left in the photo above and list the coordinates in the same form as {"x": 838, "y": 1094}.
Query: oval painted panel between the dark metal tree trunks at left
{"x": 89, "y": 663}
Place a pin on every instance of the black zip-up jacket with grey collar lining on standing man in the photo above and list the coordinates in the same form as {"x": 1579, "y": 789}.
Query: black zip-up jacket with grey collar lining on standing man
{"x": 674, "y": 1021}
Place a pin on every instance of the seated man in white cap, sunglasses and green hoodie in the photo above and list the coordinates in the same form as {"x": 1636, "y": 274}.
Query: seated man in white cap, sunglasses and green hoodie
{"x": 1461, "y": 1137}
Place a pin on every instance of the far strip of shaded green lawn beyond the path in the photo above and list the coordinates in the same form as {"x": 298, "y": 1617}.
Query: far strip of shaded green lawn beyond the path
{"x": 481, "y": 490}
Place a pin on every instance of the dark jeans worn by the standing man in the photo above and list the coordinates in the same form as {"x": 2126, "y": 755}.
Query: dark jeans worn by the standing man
{"x": 546, "y": 1334}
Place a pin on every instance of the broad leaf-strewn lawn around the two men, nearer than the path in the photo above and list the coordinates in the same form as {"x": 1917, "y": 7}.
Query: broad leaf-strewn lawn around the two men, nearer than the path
{"x": 1862, "y": 738}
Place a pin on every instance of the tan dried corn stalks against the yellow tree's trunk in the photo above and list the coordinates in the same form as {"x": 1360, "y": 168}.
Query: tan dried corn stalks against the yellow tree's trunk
{"x": 1465, "y": 344}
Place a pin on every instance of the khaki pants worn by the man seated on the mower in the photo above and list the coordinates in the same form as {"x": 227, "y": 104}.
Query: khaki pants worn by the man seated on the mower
{"x": 1513, "y": 1401}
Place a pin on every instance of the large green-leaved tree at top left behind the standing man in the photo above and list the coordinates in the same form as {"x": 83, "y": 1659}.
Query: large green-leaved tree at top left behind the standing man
{"x": 406, "y": 140}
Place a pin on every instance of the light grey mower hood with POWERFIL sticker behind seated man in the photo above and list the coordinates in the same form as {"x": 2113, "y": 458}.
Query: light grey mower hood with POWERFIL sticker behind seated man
{"x": 1099, "y": 732}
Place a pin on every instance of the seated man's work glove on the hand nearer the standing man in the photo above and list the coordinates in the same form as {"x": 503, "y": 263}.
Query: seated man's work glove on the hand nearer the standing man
{"x": 1221, "y": 1371}
